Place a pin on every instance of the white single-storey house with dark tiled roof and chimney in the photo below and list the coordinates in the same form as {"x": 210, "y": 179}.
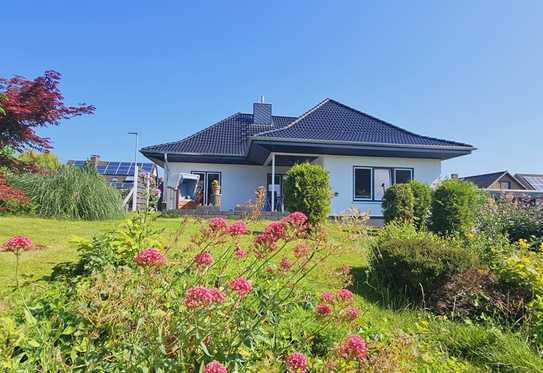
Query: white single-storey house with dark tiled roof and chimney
{"x": 363, "y": 155}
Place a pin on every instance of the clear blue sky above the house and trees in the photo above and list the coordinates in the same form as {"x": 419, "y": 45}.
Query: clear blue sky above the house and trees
{"x": 470, "y": 71}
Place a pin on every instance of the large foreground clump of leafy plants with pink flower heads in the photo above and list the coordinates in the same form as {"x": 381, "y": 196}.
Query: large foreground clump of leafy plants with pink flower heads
{"x": 201, "y": 309}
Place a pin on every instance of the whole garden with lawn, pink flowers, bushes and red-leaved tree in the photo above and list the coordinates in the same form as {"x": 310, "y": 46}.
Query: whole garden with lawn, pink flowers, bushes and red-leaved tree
{"x": 452, "y": 282}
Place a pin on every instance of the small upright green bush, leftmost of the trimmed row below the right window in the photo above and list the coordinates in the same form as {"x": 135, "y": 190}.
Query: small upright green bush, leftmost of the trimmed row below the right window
{"x": 398, "y": 204}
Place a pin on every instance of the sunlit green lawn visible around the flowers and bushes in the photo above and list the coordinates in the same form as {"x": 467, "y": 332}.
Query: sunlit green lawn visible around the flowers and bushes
{"x": 436, "y": 344}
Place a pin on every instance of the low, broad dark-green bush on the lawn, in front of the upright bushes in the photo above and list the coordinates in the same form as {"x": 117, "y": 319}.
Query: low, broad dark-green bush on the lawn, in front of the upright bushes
{"x": 416, "y": 262}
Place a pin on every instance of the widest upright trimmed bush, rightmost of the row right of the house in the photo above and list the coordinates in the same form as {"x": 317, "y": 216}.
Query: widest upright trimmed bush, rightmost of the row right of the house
{"x": 455, "y": 206}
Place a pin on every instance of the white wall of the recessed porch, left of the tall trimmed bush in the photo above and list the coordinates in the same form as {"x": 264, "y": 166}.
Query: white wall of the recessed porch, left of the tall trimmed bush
{"x": 238, "y": 182}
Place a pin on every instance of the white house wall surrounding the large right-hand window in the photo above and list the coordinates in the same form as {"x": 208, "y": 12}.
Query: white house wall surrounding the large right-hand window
{"x": 342, "y": 183}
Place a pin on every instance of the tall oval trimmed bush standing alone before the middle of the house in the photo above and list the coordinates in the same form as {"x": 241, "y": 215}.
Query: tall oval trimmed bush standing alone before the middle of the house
{"x": 307, "y": 189}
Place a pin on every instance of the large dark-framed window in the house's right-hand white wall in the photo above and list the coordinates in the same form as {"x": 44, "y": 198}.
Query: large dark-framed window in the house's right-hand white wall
{"x": 371, "y": 183}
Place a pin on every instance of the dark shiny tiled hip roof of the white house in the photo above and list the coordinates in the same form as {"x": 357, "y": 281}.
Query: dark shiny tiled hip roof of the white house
{"x": 328, "y": 127}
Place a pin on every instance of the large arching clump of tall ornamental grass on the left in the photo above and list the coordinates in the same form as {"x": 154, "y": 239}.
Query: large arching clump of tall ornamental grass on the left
{"x": 77, "y": 193}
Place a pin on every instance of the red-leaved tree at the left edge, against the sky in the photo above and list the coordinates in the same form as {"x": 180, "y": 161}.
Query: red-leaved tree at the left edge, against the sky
{"x": 30, "y": 104}
